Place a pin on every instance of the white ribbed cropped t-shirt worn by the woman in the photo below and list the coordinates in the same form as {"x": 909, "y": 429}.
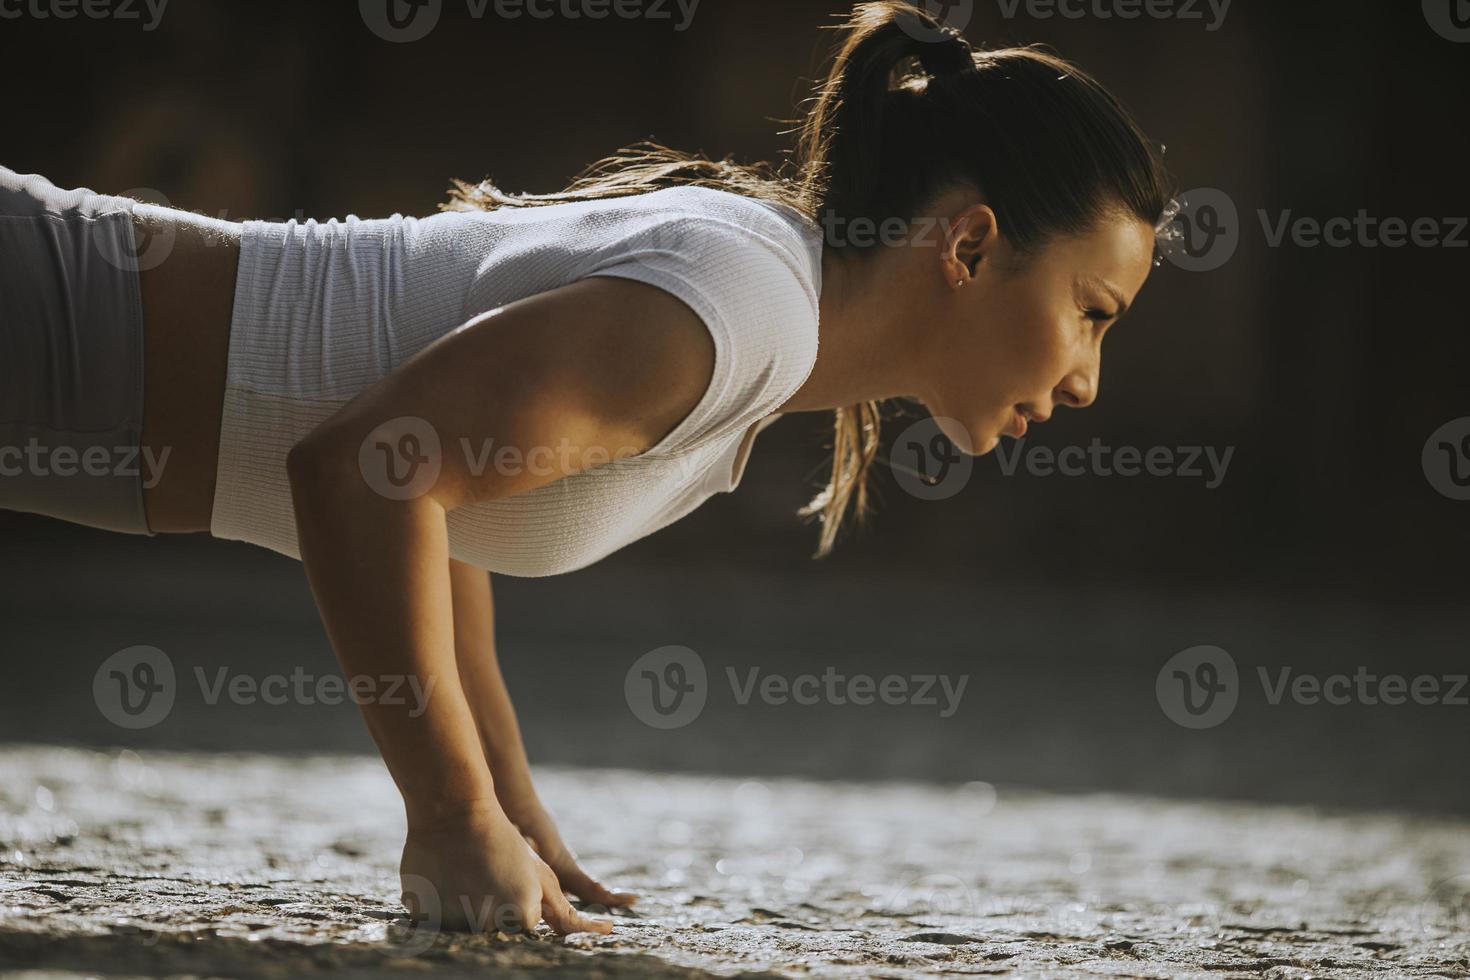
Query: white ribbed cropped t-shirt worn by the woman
{"x": 324, "y": 311}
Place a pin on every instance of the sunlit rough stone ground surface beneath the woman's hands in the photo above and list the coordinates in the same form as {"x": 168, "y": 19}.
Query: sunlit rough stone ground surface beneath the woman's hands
{"x": 258, "y": 866}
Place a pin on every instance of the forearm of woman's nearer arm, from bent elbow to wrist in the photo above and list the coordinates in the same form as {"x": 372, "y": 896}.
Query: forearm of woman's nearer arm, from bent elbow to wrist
{"x": 380, "y": 574}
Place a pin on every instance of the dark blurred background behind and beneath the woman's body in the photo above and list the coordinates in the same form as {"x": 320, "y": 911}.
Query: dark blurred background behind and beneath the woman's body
{"x": 1325, "y": 549}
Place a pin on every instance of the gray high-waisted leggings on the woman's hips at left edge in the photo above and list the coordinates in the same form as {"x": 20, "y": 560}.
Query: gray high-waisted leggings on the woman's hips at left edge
{"x": 71, "y": 356}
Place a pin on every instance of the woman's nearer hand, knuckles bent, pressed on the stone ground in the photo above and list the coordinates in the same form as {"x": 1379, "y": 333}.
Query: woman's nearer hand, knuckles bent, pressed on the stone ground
{"x": 477, "y": 873}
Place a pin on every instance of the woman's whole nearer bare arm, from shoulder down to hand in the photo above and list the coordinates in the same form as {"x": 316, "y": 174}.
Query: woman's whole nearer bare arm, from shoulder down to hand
{"x": 603, "y": 368}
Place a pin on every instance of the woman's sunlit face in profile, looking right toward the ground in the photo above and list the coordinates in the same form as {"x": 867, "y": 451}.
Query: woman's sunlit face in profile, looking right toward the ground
{"x": 1018, "y": 343}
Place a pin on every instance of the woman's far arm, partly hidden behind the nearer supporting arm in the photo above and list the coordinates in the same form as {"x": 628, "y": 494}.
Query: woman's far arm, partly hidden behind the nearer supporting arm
{"x": 501, "y": 735}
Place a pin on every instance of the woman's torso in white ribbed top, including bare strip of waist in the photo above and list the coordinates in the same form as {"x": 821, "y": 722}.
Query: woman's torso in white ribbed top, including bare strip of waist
{"x": 261, "y": 331}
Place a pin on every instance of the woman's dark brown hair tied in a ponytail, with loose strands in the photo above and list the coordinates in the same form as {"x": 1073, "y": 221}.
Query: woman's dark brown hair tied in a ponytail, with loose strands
{"x": 908, "y": 111}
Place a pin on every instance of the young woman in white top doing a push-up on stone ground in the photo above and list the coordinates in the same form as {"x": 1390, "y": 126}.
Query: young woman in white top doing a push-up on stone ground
{"x": 527, "y": 384}
